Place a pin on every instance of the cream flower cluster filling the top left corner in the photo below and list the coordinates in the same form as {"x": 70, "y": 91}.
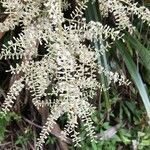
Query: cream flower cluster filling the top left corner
{"x": 19, "y": 11}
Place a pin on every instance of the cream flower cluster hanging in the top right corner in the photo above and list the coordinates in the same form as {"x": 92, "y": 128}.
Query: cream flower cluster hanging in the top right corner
{"x": 122, "y": 11}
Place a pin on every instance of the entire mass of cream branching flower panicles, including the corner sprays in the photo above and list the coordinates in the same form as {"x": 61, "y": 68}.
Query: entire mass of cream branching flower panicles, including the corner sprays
{"x": 69, "y": 68}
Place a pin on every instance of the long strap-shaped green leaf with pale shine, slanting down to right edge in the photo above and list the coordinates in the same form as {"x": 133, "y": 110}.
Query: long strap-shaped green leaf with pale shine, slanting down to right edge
{"x": 135, "y": 75}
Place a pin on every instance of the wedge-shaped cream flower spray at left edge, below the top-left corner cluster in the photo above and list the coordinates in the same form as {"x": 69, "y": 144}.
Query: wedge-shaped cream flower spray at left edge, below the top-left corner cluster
{"x": 24, "y": 46}
